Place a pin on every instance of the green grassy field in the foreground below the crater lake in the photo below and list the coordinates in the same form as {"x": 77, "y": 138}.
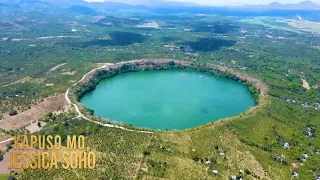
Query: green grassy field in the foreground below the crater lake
{"x": 248, "y": 146}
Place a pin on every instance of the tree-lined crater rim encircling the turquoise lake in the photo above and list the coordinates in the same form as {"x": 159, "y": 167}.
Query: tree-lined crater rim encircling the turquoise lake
{"x": 91, "y": 79}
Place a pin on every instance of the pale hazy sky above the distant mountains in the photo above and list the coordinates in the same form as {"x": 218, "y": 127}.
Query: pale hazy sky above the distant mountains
{"x": 214, "y": 2}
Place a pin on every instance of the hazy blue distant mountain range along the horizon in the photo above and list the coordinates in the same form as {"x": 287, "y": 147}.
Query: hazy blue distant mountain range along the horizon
{"x": 95, "y": 7}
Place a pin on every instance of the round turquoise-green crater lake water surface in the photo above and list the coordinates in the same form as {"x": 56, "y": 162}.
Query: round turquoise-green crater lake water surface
{"x": 168, "y": 99}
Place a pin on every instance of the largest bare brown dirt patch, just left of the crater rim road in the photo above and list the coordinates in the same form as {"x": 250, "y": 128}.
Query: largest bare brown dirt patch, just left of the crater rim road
{"x": 25, "y": 118}
